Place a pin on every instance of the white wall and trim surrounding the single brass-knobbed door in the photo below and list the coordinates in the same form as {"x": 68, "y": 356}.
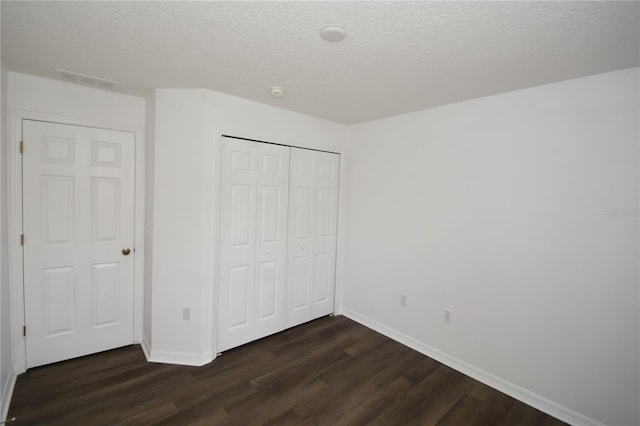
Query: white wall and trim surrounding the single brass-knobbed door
{"x": 64, "y": 102}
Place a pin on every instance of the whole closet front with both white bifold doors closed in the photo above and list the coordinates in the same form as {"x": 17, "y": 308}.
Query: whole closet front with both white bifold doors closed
{"x": 278, "y": 226}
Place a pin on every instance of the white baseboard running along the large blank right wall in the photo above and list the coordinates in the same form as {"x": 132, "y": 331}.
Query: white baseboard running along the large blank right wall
{"x": 543, "y": 404}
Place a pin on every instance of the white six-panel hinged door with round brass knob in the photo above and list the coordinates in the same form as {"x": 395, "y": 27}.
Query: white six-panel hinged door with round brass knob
{"x": 78, "y": 211}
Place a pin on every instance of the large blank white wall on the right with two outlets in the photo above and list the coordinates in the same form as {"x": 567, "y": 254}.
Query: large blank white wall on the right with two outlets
{"x": 500, "y": 209}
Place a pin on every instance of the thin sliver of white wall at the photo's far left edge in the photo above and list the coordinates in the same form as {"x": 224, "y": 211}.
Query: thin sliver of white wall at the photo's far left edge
{"x": 7, "y": 373}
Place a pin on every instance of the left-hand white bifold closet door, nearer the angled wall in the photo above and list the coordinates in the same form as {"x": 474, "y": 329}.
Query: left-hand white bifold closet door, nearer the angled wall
{"x": 253, "y": 233}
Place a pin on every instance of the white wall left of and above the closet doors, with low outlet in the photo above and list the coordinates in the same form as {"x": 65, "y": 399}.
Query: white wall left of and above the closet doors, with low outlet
{"x": 188, "y": 127}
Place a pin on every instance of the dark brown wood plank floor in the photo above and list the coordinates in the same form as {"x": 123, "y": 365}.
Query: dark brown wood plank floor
{"x": 331, "y": 371}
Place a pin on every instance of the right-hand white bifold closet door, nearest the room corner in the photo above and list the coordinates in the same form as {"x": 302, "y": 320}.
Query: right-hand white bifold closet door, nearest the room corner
{"x": 311, "y": 245}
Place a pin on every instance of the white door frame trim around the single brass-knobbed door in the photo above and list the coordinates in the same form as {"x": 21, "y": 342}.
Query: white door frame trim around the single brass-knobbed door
{"x": 15, "y": 252}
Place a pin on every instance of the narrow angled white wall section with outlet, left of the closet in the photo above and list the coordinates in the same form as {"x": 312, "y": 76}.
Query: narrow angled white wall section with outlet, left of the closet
{"x": 178, "y": 214}
